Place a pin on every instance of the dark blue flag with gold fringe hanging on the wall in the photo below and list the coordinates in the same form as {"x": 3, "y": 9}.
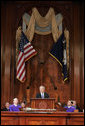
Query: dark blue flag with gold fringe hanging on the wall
{"x": 58, "y": 52}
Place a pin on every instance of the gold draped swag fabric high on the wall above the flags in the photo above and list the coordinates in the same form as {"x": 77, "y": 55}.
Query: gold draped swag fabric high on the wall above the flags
{"x": 42, "y": 22}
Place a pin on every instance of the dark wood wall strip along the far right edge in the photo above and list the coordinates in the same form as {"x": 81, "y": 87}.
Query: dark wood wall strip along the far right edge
{"x": 82, "y": 56}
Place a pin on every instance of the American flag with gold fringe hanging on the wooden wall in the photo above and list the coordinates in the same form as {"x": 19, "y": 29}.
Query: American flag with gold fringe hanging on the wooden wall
{"x": 26, "y": 51}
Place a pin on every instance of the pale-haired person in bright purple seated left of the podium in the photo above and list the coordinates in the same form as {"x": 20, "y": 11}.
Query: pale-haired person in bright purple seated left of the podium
{"x": 15, "y": 106}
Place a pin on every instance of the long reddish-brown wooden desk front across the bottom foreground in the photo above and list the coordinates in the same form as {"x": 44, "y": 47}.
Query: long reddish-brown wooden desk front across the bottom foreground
{"x": 57, "y": 118}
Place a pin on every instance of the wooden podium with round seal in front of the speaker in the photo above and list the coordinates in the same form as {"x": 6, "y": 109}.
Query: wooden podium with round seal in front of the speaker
{"x": 38, "y": 103}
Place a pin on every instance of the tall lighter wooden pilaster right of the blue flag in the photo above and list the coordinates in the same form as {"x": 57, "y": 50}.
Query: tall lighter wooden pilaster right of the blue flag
{"x": 76, "y": 54}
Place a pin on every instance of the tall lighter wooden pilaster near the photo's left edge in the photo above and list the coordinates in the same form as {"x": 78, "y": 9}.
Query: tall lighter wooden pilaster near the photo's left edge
{"x": 7, "y": 55}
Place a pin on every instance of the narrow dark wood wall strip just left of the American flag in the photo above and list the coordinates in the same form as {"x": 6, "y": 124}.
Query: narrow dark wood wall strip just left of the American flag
{"x": 13, "y": 53}
